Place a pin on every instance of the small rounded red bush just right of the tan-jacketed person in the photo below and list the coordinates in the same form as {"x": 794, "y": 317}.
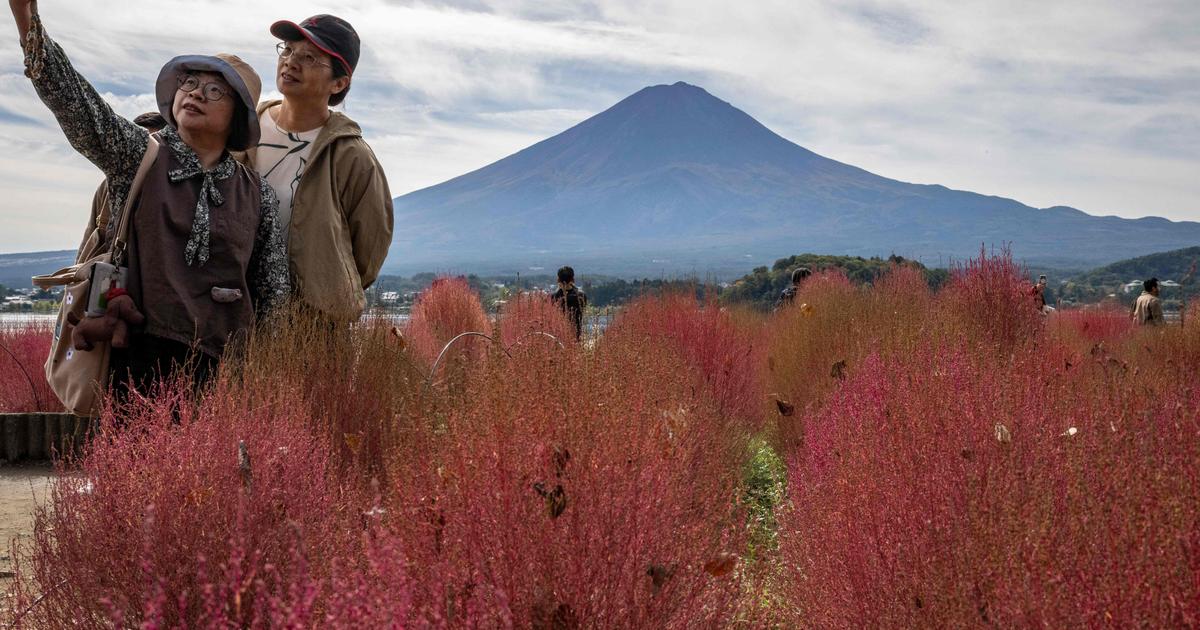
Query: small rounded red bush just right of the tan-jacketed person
{"x": 446, "y": 310}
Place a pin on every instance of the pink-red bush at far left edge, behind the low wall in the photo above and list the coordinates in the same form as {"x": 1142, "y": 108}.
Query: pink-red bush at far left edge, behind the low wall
{"x": 23, "y": 387}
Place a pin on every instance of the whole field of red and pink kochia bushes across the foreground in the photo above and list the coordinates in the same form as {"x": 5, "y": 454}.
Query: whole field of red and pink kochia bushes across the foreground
{"x": 868, "y": 458}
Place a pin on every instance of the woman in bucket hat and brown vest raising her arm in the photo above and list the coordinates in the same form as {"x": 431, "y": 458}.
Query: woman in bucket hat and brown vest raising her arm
{"x": 205, "y": 251}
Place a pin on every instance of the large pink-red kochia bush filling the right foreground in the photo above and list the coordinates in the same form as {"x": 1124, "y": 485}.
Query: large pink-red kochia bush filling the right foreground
{"x": 950, "y": 490}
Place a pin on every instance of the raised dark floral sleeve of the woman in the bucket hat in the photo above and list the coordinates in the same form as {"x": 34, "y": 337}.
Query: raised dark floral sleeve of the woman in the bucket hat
{"x": 109, "y": 141}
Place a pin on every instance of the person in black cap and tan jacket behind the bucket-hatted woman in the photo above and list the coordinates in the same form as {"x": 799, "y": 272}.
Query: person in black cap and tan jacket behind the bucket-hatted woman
{"x": 335, "y": 208}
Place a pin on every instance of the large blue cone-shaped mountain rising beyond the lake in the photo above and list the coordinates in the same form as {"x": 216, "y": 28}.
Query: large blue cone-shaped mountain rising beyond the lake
{"x": 675, "y": 178}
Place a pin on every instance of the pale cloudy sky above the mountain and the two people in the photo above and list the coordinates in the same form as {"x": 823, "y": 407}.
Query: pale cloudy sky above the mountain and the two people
{"x": 1088, "y": 104}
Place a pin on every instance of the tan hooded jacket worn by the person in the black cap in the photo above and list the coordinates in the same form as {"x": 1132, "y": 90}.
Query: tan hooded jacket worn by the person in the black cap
{"x": 341, "y": 220}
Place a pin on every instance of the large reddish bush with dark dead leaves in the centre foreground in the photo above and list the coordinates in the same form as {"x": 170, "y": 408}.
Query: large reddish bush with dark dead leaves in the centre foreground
{"x": 579, "y": 490}
